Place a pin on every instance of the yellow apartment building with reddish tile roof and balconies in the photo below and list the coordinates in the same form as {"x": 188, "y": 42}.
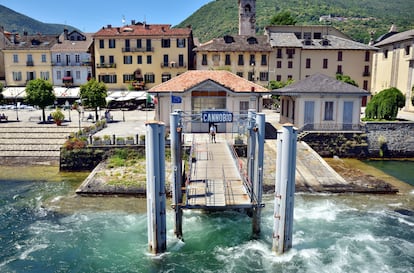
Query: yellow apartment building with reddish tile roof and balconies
{"x": 139, "y": 56}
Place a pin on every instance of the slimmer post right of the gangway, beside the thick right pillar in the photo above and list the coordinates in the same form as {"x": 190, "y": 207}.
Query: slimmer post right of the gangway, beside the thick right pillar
{"x": 259, "y": 131}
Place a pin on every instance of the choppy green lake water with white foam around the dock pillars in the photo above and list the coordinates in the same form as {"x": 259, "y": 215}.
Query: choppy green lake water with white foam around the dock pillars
{"x": 44, "y": 227}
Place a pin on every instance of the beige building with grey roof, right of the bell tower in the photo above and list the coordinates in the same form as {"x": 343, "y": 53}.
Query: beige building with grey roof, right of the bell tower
{"x": 301, "y": 51}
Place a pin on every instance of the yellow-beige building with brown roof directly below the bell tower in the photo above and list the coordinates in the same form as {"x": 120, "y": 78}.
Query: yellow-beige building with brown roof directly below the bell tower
{"x": 243, "y": 55}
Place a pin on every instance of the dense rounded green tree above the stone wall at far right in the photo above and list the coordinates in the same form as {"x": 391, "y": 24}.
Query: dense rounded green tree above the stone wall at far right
{"x": 385, "y": 104}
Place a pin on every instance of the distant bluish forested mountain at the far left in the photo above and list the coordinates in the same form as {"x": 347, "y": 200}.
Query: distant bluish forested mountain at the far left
{"x": 16, "y": 22}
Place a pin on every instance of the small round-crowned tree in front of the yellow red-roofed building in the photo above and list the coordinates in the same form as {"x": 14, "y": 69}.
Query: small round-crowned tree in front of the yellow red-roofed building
{"x": 93, "y": 95}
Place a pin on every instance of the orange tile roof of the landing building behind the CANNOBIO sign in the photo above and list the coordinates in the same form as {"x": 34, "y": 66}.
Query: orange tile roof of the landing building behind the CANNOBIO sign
{"x": 193, "y": 78}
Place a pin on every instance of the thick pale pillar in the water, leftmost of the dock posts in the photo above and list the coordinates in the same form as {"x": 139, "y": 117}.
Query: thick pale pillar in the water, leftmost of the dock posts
{"x": 156, "y": 199}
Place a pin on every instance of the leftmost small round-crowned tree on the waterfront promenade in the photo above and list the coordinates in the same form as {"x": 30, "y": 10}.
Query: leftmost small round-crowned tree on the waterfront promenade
{"x": 40, "y": 92}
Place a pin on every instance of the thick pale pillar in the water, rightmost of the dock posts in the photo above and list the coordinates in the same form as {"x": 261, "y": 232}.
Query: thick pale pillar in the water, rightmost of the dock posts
{"x": 284, "y": 190}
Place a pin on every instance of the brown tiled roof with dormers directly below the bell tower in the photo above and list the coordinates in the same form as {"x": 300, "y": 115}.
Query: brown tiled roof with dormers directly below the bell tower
{"x": 236, "y": 43}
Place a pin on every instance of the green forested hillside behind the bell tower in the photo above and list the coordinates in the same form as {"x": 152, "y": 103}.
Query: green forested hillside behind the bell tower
{"x": 356, "y": 18}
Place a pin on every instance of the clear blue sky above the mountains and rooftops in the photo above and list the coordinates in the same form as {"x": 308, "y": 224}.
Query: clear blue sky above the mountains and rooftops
{"x": 91, "y": 15}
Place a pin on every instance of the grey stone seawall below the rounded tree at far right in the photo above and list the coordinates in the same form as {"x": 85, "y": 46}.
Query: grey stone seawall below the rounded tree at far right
{"x": 390, "y": 139}
